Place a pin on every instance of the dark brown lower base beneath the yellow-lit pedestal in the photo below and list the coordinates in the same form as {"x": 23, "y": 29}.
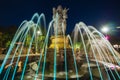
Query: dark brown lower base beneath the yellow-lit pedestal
{"x": 60, "y": 60}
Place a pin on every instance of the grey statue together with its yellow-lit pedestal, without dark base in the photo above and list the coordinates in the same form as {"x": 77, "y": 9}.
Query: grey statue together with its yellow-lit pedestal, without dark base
{"x": 59, "y": 39}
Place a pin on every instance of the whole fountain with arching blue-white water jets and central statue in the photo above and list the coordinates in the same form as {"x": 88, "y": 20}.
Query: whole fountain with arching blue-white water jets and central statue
{"x": 35, "y": 54}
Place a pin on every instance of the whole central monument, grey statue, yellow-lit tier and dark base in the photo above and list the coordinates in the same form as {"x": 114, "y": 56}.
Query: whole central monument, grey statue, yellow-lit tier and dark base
{"x": 60, "y": 42}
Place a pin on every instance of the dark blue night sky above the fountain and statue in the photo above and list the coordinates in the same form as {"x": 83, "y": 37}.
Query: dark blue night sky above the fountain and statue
{"x": 91, "y": 12}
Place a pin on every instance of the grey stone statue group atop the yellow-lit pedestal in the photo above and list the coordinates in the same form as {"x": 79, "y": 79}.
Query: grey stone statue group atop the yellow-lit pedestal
{"x": 59, "y": 16}
